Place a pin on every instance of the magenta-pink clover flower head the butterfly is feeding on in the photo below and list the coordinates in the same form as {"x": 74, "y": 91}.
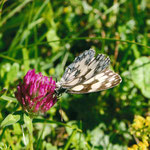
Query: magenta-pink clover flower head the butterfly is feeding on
{"x": 36, "y": 93}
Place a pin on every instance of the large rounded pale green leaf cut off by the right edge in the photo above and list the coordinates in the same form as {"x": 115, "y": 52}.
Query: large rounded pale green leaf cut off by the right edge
{"x": 140, "y": 74}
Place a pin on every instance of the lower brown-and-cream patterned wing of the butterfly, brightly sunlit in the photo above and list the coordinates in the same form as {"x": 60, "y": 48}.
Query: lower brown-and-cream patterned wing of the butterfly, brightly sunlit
{"x": 102, "y": 81}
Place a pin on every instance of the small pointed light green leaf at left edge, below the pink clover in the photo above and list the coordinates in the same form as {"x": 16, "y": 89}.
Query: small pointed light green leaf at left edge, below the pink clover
{"x": 10, "y": 119}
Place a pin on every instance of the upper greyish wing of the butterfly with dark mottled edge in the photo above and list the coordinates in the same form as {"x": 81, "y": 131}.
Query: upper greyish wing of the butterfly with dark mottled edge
{"x": 84, "y": 69}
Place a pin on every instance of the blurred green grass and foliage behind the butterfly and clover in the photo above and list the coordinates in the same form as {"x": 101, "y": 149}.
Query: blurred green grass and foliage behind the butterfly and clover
{"x": 47, "y": 35}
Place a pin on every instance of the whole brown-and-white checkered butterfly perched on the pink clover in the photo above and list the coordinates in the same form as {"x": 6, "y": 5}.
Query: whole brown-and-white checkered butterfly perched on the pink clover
{"x": 88, "y": 74}
